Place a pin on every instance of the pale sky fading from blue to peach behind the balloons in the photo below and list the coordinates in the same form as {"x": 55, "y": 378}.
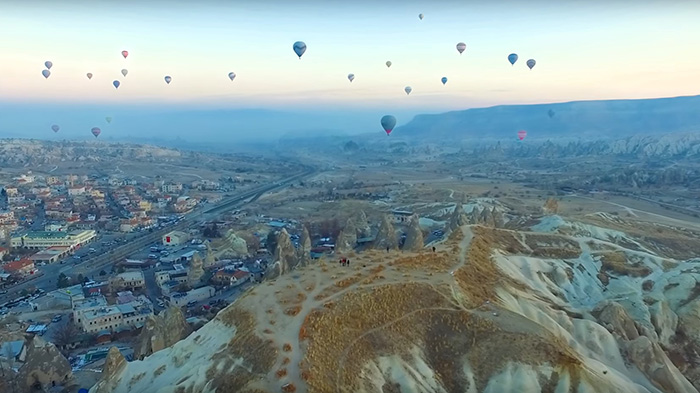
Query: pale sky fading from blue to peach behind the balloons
{"x": 584, "y": 50}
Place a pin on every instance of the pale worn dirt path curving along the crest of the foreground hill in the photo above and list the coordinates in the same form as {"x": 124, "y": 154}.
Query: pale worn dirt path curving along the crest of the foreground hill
{"x": 282, "y": 305}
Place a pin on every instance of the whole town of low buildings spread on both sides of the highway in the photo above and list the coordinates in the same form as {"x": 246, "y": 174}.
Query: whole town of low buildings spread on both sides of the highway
{"x": 88, "y": 261}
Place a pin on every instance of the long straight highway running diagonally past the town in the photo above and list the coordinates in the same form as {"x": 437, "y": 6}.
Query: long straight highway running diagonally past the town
{"x": 92, "y": 266}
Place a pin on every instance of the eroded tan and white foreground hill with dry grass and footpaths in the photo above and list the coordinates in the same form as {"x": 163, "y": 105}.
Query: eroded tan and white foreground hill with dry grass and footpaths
{"x": 550, "y": 306}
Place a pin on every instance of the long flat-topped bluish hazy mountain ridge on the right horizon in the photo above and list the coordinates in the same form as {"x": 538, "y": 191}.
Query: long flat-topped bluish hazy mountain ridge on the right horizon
{"x": 578, "y": 119}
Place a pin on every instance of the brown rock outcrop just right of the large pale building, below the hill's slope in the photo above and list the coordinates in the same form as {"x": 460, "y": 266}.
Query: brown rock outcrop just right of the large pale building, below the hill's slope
{"x": 161, "y": 331}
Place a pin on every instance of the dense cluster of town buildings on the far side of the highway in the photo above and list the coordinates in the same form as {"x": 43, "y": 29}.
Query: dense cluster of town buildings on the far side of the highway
{"x": 74, "y": 202}
